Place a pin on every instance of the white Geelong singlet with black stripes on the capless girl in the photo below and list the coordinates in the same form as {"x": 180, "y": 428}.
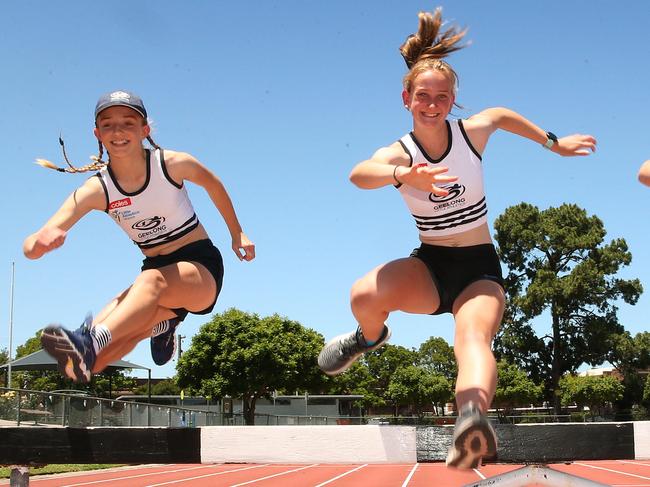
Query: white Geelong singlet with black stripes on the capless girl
{"x": 464, "y": 207}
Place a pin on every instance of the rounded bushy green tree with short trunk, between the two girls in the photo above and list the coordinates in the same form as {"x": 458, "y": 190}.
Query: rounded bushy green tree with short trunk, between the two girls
{"x": 242, "y": 355}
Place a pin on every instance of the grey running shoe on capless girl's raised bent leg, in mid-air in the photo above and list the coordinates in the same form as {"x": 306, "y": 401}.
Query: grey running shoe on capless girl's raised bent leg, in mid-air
{"x": 341, "y": 352}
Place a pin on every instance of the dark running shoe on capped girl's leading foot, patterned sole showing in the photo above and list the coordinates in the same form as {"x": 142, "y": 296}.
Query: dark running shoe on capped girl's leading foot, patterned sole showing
{"x": 73, "y": 350}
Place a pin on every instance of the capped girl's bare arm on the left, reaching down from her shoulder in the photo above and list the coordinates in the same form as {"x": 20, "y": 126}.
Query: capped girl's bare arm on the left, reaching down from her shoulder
{"x": 90, "y": 196}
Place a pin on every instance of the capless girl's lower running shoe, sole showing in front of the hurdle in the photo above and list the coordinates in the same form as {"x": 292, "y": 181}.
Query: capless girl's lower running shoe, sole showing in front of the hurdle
{"x": 474, "y": 439}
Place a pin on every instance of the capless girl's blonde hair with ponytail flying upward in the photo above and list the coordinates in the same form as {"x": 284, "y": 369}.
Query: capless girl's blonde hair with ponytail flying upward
{"x": 425, "y": 50}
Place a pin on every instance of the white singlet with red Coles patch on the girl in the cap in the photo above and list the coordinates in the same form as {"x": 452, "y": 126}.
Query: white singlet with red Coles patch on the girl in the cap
{"x": 157, "y": 213}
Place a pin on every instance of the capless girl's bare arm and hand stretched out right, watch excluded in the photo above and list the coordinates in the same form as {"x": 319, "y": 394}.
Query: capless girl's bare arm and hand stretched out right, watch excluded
{"x": 480, "y": 126}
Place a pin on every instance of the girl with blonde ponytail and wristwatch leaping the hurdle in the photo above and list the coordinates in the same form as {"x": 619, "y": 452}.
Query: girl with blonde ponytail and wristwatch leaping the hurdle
{"x": 438, "y": 170}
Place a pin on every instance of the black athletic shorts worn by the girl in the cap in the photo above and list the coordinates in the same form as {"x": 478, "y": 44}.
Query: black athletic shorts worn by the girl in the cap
{"x": 202, "y": 252}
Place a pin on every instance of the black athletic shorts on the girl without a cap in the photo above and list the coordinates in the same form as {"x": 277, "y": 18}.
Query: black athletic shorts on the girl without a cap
{"x": 454, "y": 268}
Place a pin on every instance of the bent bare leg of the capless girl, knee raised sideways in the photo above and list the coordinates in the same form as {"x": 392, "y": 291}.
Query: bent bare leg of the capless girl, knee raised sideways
{"x": 403, "y": 284}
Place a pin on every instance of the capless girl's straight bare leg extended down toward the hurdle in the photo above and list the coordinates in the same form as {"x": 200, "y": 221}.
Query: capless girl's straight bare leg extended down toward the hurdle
{"x": 478, "y": 312}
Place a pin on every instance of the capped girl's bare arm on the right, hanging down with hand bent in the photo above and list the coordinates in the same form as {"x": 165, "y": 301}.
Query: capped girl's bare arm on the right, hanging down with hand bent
{"x": 183, "y": 166}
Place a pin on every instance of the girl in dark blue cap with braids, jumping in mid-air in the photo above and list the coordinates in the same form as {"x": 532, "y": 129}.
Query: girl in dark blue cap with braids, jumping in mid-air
{"x": 143, "y": 191}
